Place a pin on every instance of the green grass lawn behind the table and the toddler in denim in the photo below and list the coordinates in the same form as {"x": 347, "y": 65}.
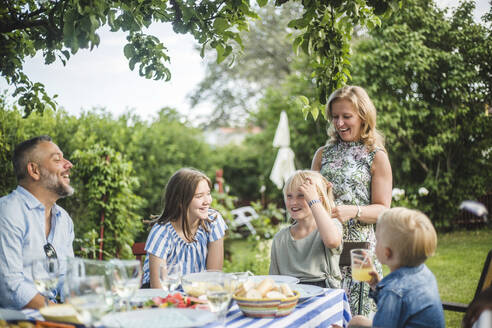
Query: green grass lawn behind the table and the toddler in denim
{"x": 457, "y": 265}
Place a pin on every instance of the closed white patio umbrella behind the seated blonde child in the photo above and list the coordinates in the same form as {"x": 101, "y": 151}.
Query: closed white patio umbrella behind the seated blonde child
{"x": 283, "y": 167}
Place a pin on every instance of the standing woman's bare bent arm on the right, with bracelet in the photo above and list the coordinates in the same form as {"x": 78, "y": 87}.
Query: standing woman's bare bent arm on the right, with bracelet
{"x": 381, "y": 184}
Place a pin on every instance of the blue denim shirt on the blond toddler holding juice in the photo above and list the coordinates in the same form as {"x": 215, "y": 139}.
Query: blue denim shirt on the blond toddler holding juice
{"x": 408, "y": 297}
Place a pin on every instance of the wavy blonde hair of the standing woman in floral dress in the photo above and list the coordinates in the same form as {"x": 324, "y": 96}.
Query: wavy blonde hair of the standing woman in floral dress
{"x": 364, "y": 107}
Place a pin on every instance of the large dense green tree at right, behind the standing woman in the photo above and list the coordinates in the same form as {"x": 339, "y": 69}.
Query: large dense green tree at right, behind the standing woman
{"x": 430, "y": 78}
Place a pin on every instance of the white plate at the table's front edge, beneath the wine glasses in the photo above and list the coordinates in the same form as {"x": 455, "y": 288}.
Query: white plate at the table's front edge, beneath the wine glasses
{"x": 173, "y": 318}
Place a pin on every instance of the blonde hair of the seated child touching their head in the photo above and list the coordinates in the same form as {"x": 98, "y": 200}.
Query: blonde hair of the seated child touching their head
{"x": 323, "y": 187}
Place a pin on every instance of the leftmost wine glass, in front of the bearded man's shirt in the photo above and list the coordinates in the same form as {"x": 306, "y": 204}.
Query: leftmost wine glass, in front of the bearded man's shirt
{"x": 45, "y": 274}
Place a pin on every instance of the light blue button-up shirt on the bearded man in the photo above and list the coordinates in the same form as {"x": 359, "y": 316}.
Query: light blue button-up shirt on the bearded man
{"x": 22, "y": 237}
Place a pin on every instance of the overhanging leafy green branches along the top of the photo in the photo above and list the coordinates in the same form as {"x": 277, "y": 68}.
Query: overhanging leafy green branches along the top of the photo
{"x": 60, "y": 28}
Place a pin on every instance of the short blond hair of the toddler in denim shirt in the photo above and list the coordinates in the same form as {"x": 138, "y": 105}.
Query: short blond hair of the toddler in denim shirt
{"x": 409, "y": 233}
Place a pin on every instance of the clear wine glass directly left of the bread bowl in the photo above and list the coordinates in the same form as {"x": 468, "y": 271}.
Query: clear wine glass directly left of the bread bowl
{"x": 219, "y": 294}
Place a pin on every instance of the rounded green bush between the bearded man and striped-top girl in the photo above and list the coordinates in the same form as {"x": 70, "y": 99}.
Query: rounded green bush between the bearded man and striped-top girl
{"x": 106, "y": 183}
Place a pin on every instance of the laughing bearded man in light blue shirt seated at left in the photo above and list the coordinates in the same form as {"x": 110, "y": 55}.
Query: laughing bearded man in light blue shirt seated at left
{"x": 32, "y": 225}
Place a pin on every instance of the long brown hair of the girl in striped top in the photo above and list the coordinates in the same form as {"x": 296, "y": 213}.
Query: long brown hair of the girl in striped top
{"x": 179, "y": 193}
